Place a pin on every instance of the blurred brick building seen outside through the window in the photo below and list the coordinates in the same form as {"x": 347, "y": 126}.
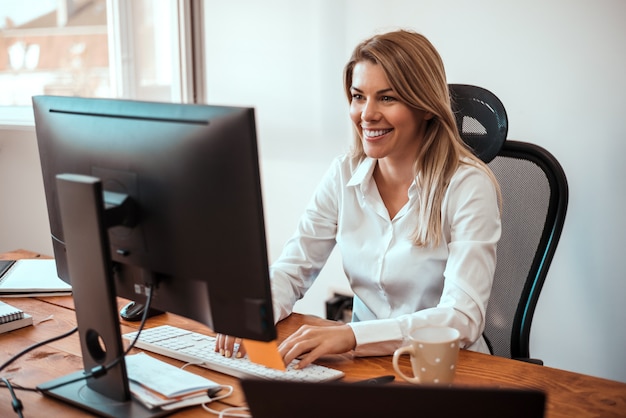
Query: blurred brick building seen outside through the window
{"x": 61, "y": 51}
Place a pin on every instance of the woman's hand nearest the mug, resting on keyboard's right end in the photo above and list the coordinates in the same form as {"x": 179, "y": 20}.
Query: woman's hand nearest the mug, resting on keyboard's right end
{"x": 311, "y": 342}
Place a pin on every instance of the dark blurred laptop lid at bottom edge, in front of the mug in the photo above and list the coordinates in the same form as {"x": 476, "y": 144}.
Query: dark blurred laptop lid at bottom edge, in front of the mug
{"x": 280, "y": 399}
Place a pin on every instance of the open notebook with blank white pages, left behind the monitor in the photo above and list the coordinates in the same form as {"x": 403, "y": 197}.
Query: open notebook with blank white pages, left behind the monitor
{"x": 31, "y": 277}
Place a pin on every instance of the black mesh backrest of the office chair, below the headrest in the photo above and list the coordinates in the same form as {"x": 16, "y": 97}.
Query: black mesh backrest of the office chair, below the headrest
{"x": 534, "y": 203}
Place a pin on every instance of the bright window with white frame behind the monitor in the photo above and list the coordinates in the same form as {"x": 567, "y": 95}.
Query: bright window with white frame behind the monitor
{"x": 136, "y": 49}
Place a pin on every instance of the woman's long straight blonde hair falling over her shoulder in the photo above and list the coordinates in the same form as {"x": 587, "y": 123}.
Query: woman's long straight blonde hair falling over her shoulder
{"x": 416, "y": 73}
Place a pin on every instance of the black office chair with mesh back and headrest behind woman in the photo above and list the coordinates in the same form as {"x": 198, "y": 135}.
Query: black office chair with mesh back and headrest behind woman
{"x": 534, "y": 203}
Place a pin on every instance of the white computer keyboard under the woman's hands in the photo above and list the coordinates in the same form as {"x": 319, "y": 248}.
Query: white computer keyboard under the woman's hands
{"x": 198, "y": 349}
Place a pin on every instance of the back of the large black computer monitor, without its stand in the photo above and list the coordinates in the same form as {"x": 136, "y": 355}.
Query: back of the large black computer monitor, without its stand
{"x": 191, "y": 174}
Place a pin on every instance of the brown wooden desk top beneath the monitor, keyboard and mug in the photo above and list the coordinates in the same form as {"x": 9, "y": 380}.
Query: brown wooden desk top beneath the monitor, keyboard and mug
{"x": 569, "y": 394}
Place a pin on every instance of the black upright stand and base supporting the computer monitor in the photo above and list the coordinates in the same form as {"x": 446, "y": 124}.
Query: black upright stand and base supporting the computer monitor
{"x": 85, "y": 225}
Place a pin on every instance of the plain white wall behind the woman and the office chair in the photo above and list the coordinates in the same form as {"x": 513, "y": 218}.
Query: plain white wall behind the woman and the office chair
{"x": 557, "y": 65}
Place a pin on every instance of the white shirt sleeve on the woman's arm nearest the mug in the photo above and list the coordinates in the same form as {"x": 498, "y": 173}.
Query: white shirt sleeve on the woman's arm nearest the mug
{"x": 471, "y": 228}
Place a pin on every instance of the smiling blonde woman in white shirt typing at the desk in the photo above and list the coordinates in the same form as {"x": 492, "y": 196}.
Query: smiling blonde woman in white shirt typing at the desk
{"x": 415, "y": 214}
